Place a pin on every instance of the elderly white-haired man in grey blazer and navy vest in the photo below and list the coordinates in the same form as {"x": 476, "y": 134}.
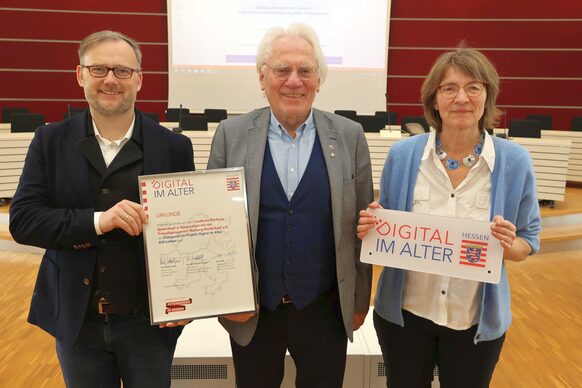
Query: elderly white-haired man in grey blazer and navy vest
{"x": 307, "y": 174}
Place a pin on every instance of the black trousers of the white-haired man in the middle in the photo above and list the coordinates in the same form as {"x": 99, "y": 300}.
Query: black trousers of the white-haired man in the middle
{"x": 316, "y": 340}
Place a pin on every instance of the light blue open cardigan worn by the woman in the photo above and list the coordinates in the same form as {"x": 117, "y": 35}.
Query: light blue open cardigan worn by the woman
{"x": 513, "y": 195}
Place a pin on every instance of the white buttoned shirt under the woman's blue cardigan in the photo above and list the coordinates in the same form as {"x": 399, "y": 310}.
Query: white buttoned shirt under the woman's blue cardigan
{"x": 448, "y": 301}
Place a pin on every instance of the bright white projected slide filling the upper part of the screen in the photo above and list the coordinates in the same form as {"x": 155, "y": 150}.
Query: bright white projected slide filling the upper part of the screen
{"x": 226, "y": 33}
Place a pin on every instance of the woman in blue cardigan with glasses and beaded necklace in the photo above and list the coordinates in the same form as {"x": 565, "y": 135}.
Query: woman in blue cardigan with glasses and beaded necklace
{"x": 456, "y": 170}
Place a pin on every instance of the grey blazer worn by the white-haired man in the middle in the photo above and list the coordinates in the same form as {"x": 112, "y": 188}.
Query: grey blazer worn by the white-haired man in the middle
{"x": 241, "y": 141}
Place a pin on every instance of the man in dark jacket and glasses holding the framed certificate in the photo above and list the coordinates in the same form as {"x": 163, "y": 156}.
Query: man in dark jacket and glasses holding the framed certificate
{"x": 78, "y": 198}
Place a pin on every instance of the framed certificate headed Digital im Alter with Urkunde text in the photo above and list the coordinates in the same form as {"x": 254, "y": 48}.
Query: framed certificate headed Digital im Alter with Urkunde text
{"x": 197, "y": 244}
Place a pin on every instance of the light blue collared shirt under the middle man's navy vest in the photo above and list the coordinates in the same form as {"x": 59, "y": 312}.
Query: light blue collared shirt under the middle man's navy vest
{"x": 290, "y": 155}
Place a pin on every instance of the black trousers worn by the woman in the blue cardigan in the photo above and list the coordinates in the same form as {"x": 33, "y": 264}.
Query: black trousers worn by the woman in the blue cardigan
{"x": 411, "y": 352}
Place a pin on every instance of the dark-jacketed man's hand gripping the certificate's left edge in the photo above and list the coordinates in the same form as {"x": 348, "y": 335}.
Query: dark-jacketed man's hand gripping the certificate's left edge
{"x": 126, "y": 215}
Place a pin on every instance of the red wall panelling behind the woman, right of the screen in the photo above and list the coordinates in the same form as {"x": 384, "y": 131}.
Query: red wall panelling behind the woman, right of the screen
{"x": 543, "y": 81}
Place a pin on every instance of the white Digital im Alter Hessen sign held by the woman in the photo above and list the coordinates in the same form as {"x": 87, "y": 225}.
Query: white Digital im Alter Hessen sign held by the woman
{"x": 434, "y": 244}
